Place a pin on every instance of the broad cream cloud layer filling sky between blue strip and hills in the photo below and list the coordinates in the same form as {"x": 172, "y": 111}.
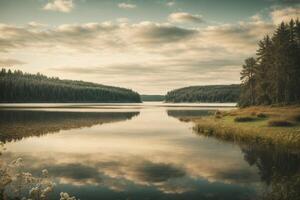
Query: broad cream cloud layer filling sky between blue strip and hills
{"x": 160, "y": 56}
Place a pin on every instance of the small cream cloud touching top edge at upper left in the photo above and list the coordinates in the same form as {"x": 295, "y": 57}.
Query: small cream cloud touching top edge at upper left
{"x": 60, "y": 6}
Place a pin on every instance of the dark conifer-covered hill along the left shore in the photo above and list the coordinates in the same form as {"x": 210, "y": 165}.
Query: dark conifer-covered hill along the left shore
{"x": 23, "y": 87}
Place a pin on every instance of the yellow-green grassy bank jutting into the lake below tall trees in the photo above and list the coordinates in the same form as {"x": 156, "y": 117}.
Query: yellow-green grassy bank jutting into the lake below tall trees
{"x": 264, "y": 125}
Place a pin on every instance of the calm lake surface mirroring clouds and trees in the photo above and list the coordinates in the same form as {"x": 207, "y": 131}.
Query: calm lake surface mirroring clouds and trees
{"x": 140, "y": 151}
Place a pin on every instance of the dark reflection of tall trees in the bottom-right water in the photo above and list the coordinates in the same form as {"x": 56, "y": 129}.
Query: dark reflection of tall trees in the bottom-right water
{"x": 278, "y": 168}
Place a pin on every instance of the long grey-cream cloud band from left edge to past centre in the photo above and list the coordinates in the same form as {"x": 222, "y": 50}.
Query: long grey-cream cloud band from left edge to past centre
{"x": 92, "y": 36}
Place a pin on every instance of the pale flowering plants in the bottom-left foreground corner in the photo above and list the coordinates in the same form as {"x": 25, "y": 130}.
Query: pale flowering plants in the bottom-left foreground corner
{"x": 17, "y": 184}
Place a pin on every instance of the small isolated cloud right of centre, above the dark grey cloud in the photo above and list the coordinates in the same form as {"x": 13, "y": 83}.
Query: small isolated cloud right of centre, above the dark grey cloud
{"x": 183, "y": 17}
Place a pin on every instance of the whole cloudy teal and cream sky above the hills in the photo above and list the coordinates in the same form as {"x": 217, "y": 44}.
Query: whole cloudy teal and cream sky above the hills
{"x": 150, "y": 46}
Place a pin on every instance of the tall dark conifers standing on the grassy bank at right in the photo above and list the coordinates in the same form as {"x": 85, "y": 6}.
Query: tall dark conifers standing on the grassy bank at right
{"x": 273, "y": 77}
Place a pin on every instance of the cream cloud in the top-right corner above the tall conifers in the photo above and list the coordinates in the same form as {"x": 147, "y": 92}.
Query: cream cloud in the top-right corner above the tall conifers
{"x": 285, "y": 14}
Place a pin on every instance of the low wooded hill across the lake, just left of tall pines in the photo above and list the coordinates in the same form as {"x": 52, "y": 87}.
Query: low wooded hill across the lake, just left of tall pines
{"x": 209, "y": 93}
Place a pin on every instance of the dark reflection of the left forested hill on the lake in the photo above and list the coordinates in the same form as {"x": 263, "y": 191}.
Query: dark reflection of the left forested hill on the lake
{"x": 17, "y": 124}
